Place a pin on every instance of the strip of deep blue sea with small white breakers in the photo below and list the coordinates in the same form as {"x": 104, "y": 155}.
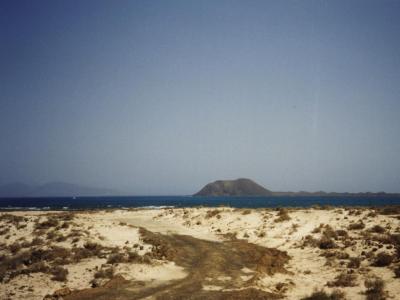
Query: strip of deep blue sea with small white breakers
{"x": 80, "y": 203}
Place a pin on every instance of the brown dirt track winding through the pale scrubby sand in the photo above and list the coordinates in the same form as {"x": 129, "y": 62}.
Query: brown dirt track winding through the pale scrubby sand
{"x": 207, "y": 263}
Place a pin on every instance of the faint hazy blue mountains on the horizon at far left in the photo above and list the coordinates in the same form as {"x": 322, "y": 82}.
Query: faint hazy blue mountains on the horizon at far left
{"x": 52, "y": 189}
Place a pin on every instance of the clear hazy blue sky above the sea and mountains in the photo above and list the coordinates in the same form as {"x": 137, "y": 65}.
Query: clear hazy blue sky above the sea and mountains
{"x": 162, "y": 97}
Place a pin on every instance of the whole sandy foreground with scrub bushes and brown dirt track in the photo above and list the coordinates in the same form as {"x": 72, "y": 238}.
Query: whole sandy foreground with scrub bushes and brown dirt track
{"x": 200, "y": 253}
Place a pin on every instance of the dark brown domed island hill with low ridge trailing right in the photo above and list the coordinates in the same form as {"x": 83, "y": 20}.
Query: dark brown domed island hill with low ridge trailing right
{"x": 247, "y": 187}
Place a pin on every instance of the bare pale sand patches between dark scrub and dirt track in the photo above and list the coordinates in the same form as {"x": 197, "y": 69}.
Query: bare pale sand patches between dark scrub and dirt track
{"x": 307, "y": 269}
